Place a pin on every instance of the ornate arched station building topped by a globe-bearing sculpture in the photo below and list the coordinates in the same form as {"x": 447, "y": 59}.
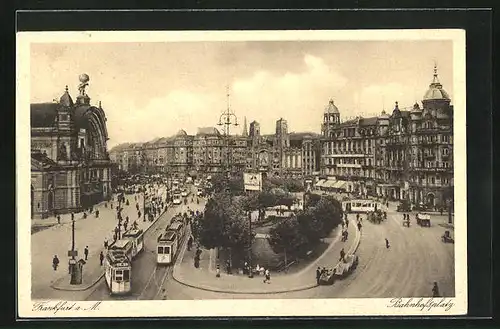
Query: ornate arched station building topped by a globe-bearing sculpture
{"x": 70, "y": 164}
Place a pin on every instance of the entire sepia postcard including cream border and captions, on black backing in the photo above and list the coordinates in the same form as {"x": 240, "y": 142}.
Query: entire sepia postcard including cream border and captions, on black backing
{"x": 270, "y": 173}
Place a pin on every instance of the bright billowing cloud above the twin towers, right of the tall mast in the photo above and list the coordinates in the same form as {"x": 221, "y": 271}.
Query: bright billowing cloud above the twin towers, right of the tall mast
{"x": 265, "y": 97}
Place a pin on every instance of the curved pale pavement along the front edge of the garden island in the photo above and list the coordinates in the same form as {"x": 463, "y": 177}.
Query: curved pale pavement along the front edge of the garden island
{"x": 204, "y": 277}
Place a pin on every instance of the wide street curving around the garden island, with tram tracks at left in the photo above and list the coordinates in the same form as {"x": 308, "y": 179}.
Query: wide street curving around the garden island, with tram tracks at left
{"x": 416, "y": 258}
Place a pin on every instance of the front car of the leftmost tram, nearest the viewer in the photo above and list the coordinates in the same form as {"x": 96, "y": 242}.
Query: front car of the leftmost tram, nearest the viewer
{"x": 117, "y": 270}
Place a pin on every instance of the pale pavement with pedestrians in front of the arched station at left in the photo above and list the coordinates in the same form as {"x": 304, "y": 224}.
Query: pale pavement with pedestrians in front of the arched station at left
{"x": 90, "y": 232}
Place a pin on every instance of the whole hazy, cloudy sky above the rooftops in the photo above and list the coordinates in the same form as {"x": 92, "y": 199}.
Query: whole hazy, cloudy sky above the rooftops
{"x": 151, "y": 90}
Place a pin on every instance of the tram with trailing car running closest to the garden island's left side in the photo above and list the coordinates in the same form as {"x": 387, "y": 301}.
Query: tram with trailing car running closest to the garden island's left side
{"x": 170, "y": 241}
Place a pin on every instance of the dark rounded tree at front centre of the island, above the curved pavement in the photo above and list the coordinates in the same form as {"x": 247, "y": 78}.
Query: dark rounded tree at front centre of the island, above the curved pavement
{"x": 287, "y": 238}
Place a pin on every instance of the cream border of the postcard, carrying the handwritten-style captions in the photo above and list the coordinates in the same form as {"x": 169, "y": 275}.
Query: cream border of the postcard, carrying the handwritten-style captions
{"x": 264, "y": 307}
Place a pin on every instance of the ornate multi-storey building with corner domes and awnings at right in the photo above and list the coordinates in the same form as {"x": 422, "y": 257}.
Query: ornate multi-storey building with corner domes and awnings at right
{"x": 405, "y": 155}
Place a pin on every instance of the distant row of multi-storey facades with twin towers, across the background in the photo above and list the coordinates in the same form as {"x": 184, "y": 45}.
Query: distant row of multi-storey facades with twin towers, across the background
{"x": 283, "y": 154}
